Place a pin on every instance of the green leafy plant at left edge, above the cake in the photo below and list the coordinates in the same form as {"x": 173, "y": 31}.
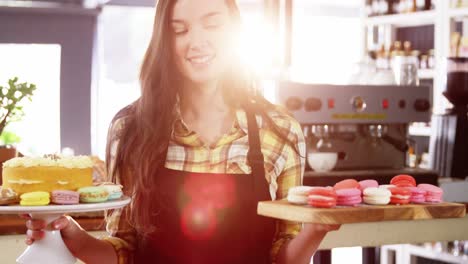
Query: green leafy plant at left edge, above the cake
{"x": 11, "y": 97}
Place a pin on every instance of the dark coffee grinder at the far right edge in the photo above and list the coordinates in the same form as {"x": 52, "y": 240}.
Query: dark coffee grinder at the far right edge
{"x": 449, "y": 148}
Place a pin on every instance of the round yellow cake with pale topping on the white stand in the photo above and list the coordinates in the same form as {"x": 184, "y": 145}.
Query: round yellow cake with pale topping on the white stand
{"x": 46, "y": 174}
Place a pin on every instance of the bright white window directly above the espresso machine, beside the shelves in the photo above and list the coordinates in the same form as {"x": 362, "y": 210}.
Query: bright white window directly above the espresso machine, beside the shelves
{"x": 327, "y": 41}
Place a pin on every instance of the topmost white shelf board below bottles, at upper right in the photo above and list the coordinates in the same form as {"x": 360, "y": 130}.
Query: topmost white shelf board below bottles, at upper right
{"x": 421, "y": 18}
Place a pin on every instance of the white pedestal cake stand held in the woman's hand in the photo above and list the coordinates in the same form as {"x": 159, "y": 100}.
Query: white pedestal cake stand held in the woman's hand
{"x": 52, "y": 249}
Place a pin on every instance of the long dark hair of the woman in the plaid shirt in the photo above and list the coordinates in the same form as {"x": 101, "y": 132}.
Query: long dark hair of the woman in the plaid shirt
{"x": 144, "y": 138}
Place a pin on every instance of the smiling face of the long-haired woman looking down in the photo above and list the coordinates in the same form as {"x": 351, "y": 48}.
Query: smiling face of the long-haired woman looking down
{"x": 202, "y": 58}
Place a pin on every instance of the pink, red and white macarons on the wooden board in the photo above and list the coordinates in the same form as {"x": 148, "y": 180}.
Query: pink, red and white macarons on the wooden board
{"x": 401, "y": 190}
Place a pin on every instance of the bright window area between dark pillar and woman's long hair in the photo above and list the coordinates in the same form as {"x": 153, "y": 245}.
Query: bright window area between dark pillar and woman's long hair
{"x": 124, "y": 34}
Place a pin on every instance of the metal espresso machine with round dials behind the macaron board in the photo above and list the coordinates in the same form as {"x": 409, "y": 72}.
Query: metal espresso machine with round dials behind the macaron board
{"x": 367, "y": 126}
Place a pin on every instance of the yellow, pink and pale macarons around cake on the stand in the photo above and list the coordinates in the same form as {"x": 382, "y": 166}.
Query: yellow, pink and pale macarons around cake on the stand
{"x": 91, "y": 194}
